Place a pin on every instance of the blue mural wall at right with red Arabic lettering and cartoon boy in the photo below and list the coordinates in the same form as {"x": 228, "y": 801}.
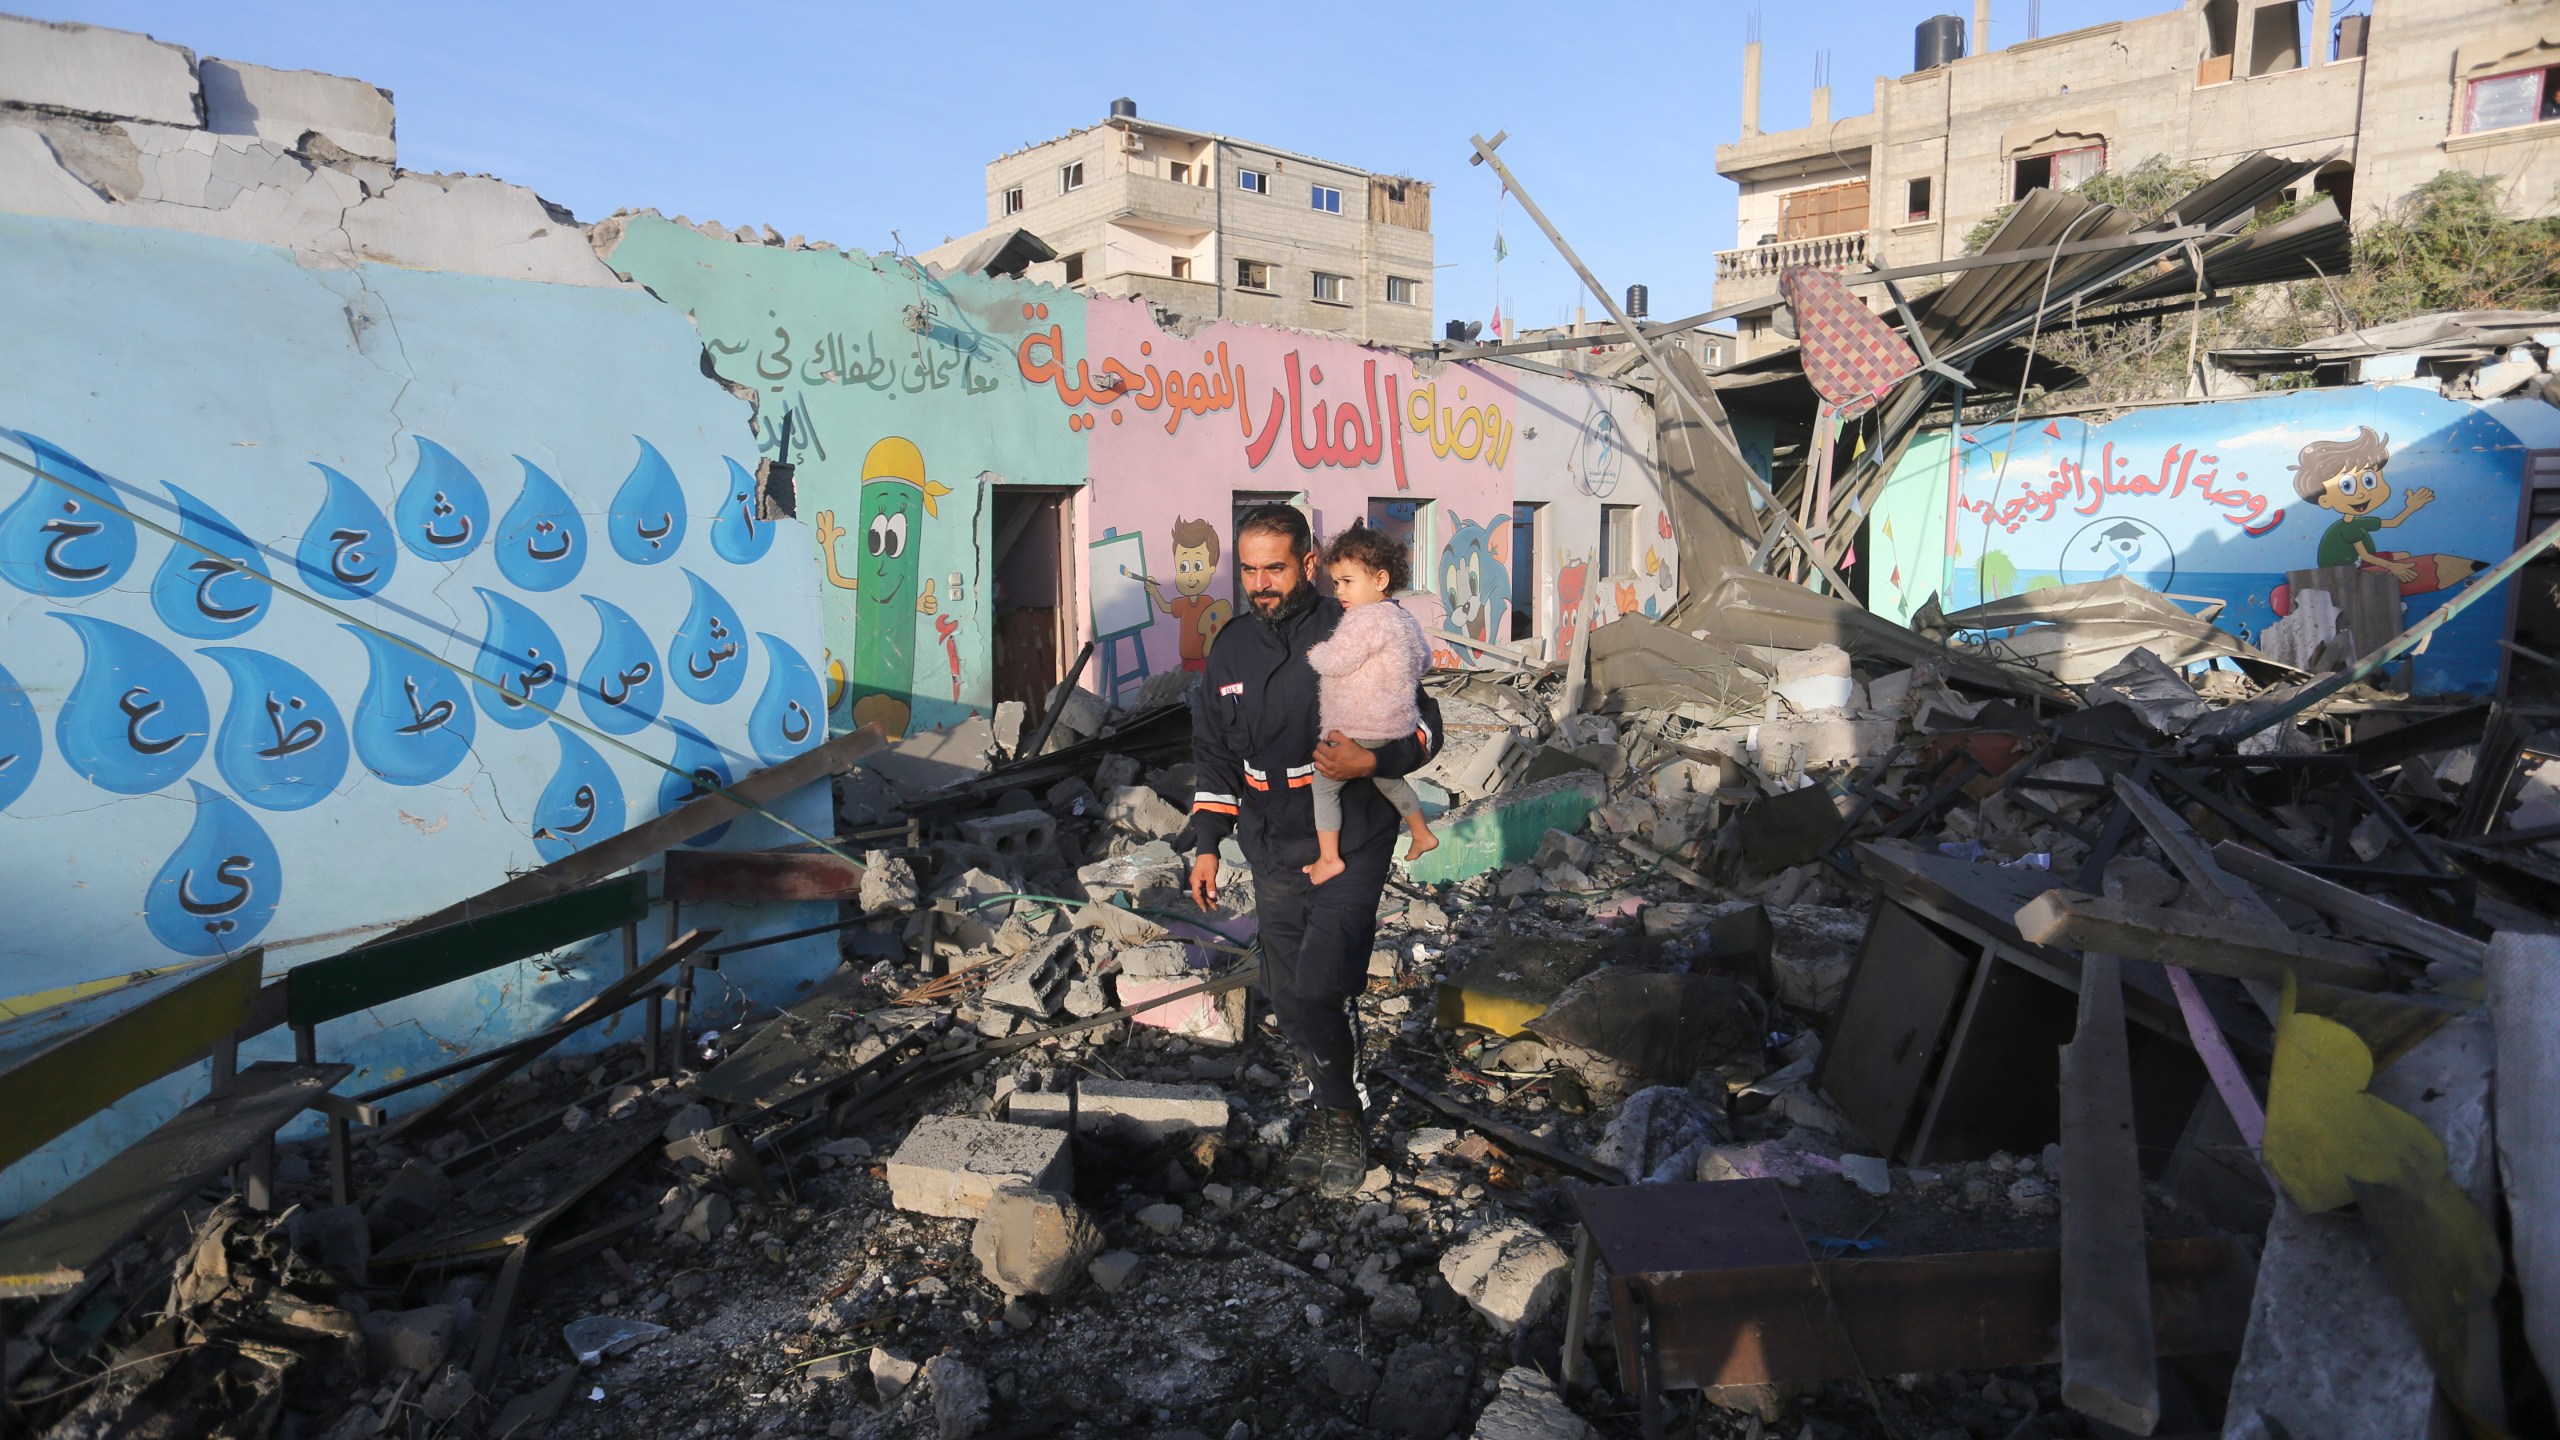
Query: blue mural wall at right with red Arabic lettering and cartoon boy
{"x": 2200, "y": 501}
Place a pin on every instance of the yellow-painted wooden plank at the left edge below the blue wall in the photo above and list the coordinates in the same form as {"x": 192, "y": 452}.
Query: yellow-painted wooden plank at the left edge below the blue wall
{"x": 76, "y": 1077}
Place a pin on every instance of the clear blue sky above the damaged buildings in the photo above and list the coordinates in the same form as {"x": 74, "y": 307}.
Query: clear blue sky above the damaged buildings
{"x": 854, "y": 122}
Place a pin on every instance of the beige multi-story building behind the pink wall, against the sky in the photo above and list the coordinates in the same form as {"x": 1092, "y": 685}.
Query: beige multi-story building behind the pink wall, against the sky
{"x": 1220, "y": 229}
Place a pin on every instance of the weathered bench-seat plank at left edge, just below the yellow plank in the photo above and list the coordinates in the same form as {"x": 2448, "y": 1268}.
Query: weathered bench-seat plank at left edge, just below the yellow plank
{"x": 58, "y": 1244}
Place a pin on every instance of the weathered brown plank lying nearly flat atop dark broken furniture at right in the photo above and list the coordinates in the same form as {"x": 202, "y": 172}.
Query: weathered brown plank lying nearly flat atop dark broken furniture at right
{"x": 2198, "y": 942}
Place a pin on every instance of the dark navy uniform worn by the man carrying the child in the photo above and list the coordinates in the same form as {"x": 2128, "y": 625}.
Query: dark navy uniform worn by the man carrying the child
{"x": 1253, "y": 739}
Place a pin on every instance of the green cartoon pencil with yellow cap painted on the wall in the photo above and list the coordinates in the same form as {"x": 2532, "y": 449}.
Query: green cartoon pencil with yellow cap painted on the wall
{"x": 887, "y": 578}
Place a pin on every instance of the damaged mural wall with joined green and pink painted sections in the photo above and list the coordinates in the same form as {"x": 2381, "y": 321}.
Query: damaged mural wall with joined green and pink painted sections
{"x": 910, "y": 396}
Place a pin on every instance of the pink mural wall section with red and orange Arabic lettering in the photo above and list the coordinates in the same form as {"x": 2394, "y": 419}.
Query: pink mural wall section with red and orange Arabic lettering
{"x": 1189, "y": 432}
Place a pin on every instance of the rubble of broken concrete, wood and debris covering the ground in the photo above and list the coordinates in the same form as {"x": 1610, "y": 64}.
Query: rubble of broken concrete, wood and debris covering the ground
{"x": 1796, "y": 931}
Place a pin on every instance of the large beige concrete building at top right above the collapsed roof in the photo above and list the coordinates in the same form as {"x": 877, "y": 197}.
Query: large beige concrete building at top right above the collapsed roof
{"x": 2400, "y": 96}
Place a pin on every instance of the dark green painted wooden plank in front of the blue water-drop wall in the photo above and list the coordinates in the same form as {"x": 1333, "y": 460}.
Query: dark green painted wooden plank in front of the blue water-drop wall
{"x": 411, "y": 965}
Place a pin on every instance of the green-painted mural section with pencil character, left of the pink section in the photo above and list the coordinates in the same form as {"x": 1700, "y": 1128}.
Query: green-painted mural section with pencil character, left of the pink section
{"x": 897, "y": 398}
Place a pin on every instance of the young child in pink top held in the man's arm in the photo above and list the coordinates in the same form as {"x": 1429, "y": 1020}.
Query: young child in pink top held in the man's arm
{"x": 1371, "y": 667}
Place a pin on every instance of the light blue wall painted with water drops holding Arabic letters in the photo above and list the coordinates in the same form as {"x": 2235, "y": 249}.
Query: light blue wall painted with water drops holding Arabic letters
{"x": 529, "y": 483}
